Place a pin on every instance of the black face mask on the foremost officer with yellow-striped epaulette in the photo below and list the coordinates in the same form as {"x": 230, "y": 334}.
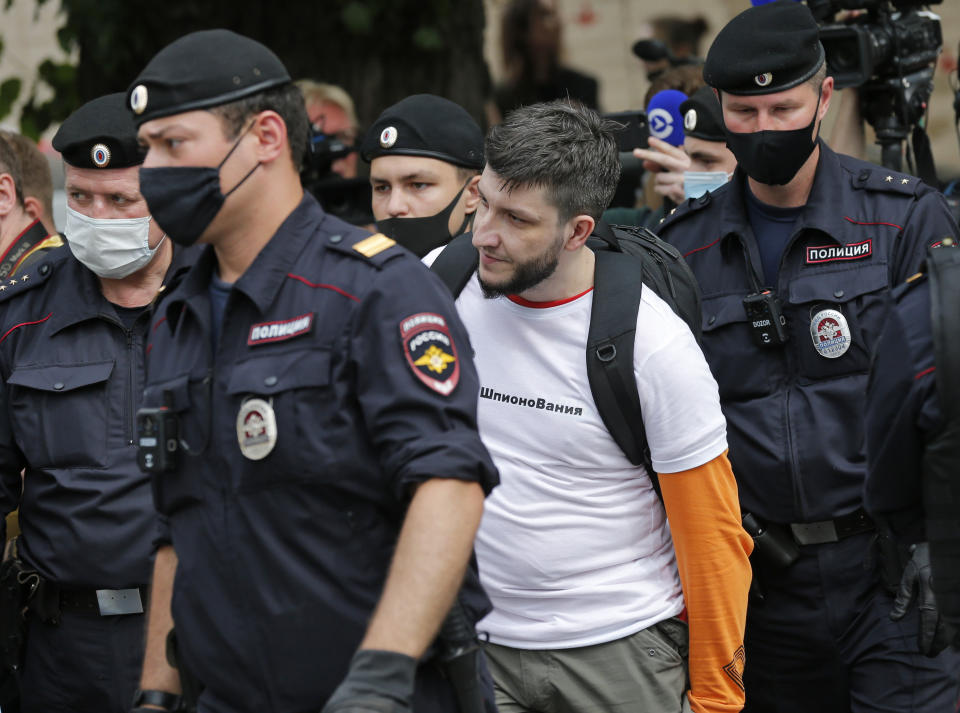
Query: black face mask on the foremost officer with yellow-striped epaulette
{"x": 184, "y": 200}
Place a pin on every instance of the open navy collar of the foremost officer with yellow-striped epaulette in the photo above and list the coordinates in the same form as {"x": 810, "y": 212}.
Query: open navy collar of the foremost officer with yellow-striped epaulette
{"x": 262, "y": 280}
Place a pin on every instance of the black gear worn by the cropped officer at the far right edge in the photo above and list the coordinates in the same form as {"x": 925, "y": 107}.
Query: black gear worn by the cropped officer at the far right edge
{"x": 941, "y": 459}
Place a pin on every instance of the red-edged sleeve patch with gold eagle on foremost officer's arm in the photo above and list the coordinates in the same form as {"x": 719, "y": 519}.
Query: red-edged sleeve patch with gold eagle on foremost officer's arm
{"x": 430, "y": 351}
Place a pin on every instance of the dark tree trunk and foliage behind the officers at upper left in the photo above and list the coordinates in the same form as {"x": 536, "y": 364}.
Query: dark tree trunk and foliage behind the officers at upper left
{"x": 379, "y": 50}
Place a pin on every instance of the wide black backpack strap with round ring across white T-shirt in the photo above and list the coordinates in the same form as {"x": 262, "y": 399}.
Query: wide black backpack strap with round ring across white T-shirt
{"x": 613, "y": 326}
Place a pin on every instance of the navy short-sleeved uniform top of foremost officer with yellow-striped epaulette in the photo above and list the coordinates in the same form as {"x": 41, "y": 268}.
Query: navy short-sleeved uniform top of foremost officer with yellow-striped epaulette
{"x": 284, "y": 538}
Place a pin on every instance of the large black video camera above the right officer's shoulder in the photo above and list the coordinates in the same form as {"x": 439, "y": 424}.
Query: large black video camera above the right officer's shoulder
{"x": 890, "y": 52}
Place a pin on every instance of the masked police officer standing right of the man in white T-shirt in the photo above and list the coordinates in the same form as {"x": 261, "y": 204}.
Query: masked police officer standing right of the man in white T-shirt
{"x": 796, "y": 256}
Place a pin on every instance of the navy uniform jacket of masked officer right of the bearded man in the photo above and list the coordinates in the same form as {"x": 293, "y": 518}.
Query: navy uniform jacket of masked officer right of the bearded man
{"x": 795, "y": 413}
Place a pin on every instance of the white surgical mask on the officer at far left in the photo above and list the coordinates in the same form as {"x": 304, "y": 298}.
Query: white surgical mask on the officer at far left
{"x": 110, "y": 247}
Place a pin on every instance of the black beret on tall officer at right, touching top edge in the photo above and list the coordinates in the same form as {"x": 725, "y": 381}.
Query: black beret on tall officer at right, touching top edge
{"x": 765, "y": 49}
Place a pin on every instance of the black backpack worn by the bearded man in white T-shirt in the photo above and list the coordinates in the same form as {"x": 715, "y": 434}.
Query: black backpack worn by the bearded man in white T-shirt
{"x": 627, "y": 257}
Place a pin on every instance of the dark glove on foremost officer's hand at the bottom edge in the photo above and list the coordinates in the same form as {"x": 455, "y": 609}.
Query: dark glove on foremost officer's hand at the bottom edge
{"x": 377, "y": 682}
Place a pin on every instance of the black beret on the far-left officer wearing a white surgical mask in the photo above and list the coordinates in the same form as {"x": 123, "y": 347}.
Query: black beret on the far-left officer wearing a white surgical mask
{"x": 100, "y": 134}
